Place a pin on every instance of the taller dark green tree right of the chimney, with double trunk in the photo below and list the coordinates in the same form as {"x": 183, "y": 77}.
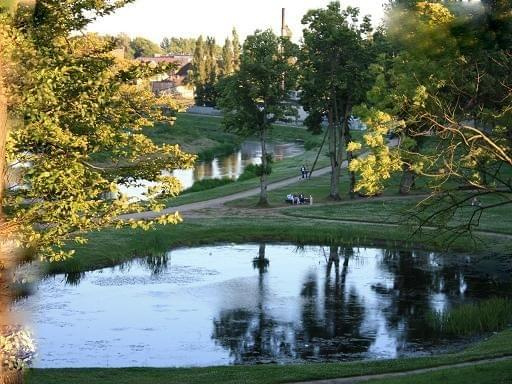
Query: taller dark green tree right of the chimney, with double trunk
{"x": 333, "y": 63}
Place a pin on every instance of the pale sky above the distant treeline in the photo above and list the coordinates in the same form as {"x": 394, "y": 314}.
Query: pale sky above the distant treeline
{"x": 155, "y": 19}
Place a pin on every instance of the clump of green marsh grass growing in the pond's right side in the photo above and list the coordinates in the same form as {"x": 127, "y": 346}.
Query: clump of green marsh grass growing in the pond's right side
{"x": 475, "y": 318}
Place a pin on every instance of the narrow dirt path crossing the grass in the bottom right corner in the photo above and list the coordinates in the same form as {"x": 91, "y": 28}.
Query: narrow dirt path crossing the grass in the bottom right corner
{"x": 361, "y": 379}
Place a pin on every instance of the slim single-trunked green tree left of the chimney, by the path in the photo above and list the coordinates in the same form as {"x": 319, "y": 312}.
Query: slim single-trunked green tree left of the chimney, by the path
{"x": 255, "y": 96}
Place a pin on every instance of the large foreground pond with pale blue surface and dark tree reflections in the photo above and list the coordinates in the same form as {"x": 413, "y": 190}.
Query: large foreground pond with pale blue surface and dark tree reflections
{"x": 246, "y": 304}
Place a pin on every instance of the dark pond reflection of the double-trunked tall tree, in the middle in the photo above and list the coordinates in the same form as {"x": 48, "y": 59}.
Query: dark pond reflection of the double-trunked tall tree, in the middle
{"x": 331, "y": 325}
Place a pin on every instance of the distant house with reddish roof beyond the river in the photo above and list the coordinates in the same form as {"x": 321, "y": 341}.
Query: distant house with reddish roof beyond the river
{"x": 172, "y": 82}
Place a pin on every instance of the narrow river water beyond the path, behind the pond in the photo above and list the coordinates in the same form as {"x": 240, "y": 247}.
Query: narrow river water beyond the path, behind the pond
{"x": 230, "y": 166}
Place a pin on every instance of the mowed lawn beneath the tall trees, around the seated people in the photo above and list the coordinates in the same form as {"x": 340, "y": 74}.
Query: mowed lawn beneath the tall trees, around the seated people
{"x": 389, "y": 208}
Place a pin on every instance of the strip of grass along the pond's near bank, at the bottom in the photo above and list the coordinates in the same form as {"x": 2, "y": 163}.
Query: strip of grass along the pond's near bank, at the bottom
{"x": 497, "y": 345}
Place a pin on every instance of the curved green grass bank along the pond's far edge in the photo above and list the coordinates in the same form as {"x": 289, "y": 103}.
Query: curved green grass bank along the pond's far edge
{"x": 114, "y": 246}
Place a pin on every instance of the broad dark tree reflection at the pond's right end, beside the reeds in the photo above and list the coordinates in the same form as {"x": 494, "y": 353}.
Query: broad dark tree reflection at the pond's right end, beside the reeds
{"x": 419, "y": 279}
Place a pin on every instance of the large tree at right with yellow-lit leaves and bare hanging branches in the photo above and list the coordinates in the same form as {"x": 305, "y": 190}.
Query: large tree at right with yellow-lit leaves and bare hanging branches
{"x": 451, "y": 83}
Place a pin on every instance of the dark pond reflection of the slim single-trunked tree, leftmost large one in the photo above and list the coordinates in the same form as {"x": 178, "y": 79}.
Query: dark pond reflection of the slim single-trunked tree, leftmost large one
{"x": 253, "y": 336}
